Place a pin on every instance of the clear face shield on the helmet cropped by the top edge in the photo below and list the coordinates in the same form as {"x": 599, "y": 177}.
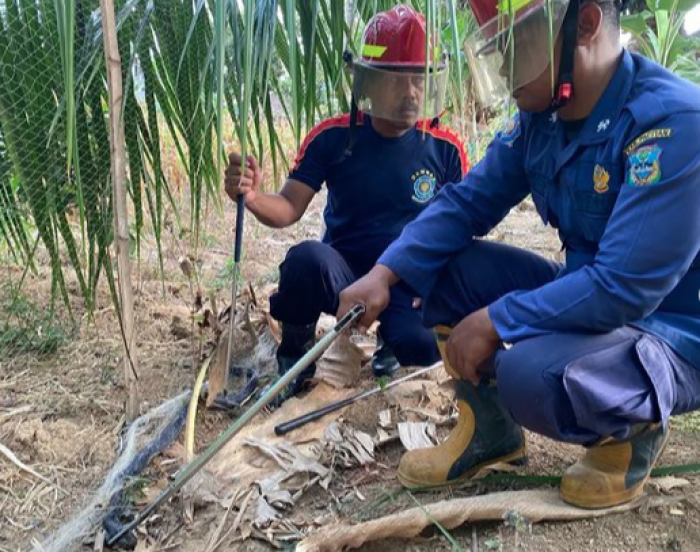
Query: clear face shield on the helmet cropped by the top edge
{"x": 513, "y": 49}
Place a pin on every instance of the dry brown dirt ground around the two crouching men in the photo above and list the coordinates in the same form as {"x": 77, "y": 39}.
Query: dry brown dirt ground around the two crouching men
{"x": 62, "y": 414}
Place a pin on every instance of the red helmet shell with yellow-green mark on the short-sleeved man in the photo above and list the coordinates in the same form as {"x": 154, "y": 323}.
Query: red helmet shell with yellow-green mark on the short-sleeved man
{"x": 395, "y": 38}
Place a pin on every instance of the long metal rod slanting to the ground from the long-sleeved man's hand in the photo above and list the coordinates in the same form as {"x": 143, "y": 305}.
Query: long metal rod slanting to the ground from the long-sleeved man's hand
{"x": 198, "y": 463}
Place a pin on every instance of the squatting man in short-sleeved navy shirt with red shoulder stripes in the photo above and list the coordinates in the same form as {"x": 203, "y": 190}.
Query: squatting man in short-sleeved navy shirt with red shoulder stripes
{"x": 382, "y": 167}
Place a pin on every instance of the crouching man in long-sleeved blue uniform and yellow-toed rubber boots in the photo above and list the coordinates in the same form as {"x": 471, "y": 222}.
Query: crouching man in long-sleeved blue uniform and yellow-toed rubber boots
{"x": 606, "y": 347}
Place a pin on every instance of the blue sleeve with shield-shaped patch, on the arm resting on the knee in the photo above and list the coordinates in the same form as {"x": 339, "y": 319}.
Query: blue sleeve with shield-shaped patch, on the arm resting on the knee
{"x": 649, "y": 243}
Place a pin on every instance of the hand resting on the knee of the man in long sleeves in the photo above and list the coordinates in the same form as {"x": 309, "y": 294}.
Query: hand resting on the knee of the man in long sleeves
{"x": 471, "y": 343}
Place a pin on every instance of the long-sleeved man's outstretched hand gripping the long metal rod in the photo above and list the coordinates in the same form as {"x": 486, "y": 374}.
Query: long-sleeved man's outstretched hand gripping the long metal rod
{"x": 372, "y": 291}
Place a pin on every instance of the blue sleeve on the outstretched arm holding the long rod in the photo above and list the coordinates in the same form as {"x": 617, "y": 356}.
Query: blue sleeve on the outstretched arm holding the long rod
{"x": 459, "y": 213}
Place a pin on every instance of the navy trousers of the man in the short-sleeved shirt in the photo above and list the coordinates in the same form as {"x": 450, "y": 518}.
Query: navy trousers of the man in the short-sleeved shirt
{"x": 312, "y": 276}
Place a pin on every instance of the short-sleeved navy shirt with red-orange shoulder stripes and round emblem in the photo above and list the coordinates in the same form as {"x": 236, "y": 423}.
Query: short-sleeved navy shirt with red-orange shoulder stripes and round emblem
{"x": 385, "y": 184}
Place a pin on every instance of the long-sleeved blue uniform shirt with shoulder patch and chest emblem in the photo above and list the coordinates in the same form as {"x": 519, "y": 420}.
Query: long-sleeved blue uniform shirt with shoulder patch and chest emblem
{"x": 625, "y": 196}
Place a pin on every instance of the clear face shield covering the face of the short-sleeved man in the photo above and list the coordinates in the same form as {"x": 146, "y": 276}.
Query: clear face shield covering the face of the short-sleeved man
{"x": 402, "y": 95}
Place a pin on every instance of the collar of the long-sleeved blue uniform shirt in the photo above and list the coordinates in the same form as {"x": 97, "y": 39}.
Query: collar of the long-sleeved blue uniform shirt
{"x": 601, "y": 122}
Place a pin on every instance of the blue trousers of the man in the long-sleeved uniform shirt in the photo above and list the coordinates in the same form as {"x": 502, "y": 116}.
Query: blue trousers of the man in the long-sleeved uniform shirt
{"x": 570, "y": 387}
